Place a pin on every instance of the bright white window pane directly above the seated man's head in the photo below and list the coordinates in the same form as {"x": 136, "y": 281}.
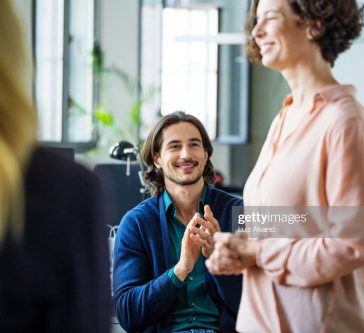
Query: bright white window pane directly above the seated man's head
{"x": 189, "y": 67}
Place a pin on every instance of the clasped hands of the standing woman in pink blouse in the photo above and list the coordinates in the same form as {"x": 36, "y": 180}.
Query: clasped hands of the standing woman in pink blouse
{"x": 232, "y": 254}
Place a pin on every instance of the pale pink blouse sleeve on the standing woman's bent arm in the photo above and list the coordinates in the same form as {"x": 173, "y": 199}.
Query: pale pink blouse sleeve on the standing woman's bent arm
{"x": 314, "y": 261}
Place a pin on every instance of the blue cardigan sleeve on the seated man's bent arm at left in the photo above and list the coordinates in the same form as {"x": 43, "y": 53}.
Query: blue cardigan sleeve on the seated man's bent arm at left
{"x": 140, "y": 299}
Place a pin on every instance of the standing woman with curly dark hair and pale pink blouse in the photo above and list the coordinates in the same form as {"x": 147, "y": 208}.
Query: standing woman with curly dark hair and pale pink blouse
{"x": 313, "y": 156}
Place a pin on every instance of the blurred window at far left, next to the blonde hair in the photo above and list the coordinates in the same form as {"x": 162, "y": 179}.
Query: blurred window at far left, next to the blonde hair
{"x": 64, "y": 37}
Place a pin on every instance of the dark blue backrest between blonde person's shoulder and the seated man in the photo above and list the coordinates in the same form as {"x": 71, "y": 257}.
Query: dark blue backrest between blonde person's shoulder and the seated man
{"x": 122, "y": 191}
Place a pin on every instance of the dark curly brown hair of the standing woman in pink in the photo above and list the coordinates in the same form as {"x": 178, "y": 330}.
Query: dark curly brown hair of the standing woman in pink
{"x": 334, "y": 24}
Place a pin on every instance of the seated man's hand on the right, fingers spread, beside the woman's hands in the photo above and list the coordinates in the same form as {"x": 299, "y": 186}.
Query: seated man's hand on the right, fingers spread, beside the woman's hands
{"x": 205, "y": 233}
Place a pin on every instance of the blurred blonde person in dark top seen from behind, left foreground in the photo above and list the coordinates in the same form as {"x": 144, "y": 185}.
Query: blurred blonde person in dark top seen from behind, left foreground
{"x": 53, "y": 258}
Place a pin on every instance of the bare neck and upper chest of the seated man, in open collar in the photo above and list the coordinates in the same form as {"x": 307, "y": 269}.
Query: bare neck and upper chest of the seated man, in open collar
{"x": 186, "y": 199}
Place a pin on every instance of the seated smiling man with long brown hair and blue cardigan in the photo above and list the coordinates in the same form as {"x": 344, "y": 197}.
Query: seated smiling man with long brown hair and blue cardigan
{"x": 160, "y": 280}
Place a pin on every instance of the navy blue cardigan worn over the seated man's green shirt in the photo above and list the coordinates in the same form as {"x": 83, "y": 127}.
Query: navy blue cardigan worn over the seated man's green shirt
{"x": 143, "y": 294}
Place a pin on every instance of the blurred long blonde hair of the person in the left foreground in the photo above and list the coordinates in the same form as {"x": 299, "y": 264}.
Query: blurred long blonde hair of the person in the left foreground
{"x": 18, "y": 119}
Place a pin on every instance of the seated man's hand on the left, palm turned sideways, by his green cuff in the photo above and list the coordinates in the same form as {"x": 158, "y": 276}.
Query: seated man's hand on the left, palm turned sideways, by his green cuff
{"x": 190, "y": 251}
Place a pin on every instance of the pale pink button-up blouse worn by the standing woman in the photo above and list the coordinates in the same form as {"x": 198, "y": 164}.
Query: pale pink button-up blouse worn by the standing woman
{"x": 309, "y": 284}
